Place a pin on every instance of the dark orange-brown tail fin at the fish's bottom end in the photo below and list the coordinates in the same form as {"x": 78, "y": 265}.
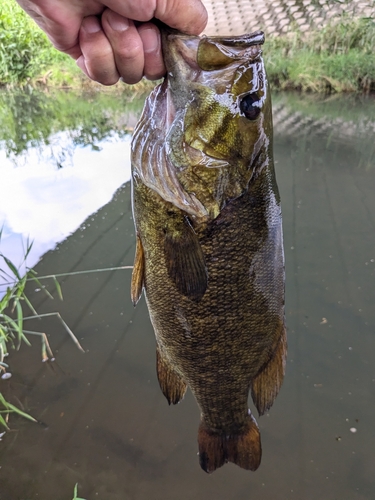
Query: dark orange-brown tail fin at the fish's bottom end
{"x": 243, "y": 448}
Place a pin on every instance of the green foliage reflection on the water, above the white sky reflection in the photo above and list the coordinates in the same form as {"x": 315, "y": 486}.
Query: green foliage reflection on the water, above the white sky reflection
{"x": 29, "y": 118}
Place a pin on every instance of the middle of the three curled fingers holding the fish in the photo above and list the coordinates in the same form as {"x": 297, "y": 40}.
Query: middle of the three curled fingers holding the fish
{"x": 126, "y": 45}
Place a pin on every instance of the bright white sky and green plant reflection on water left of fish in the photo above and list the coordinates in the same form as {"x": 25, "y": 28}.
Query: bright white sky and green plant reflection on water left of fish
{"x": 59, "y": 144}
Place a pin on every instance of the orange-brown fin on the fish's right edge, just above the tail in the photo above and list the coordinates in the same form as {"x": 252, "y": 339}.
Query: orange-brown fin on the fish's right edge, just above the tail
{"x": 267, "y": 383}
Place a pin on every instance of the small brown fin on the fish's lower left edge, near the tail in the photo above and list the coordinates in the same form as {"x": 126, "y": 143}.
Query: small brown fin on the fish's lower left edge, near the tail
{"x": 171, "y": 383}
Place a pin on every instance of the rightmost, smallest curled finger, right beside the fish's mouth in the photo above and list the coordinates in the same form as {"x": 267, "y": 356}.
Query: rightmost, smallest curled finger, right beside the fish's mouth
{"x": 154, "y": 64}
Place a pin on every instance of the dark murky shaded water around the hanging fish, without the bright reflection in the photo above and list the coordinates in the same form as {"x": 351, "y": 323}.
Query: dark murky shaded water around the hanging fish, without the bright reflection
{"x": 107, "y": 425}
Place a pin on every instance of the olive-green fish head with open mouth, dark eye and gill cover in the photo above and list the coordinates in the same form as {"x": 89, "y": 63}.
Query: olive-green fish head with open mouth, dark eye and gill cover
{"x": 213, "y": 120}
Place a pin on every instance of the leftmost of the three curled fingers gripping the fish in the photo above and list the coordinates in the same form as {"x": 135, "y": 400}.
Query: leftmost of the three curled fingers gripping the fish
{"x": 99, "y": 60}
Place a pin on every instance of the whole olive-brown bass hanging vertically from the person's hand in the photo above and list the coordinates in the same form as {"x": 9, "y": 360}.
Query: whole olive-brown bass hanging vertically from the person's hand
{"x": 209, "y": 246}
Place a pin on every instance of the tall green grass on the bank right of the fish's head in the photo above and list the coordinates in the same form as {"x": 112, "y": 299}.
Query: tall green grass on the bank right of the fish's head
{"x": 338, "y": 58}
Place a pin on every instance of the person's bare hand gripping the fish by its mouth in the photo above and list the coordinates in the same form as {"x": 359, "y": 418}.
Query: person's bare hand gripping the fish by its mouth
{"x": 115, "y": 39}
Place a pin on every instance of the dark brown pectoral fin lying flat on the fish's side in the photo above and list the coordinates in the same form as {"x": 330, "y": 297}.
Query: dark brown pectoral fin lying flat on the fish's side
{"x": 185, "y": 260}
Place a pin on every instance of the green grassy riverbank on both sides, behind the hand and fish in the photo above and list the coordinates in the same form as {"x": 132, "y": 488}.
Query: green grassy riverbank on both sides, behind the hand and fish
{"x": 337, "y": 58}
